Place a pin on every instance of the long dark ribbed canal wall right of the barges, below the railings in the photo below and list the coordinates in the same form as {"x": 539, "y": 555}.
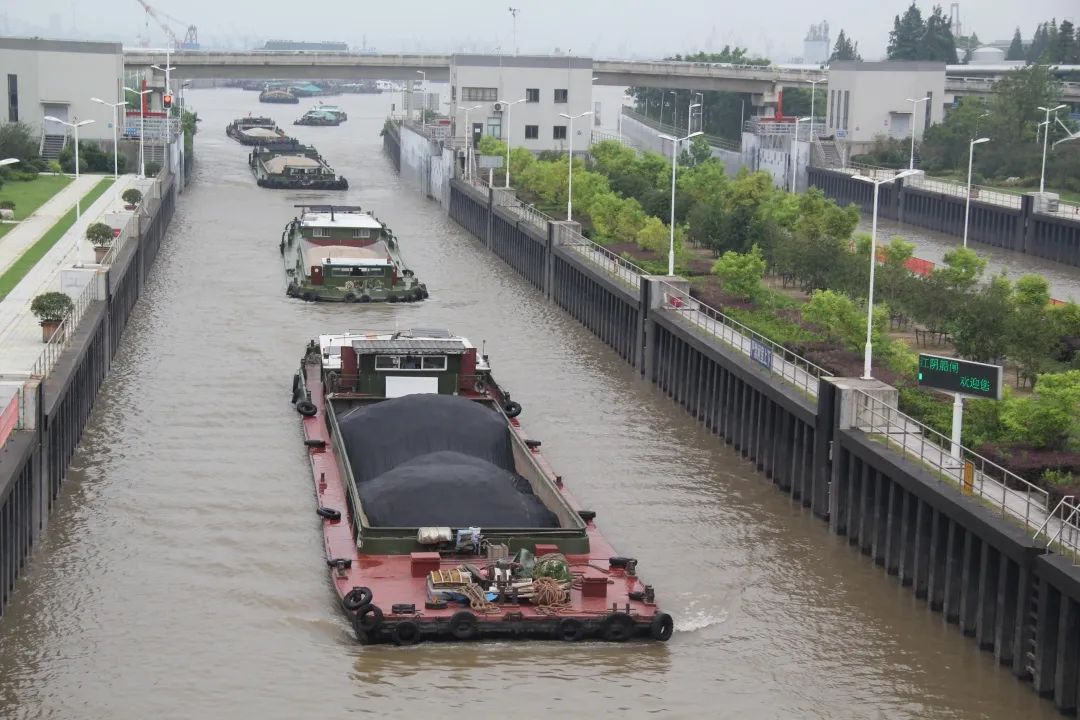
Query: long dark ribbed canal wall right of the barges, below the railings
{"x": 984, "y": 574}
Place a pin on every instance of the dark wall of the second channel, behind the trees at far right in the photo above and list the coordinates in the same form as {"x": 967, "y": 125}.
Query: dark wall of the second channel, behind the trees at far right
{"x": 1054, "y": 237}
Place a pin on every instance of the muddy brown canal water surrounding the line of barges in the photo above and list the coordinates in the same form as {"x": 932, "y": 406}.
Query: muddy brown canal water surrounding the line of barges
{"x": 183, "y": 574}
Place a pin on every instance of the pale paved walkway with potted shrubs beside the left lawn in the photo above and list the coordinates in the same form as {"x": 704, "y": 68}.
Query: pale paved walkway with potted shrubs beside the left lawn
{"x": 20, "y": 332}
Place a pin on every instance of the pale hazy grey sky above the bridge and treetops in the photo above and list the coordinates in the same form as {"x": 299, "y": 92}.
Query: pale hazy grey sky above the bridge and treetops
{"x": 601, "y": 29}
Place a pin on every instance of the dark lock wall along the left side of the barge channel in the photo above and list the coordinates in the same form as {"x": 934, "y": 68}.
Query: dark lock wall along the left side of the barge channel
{"x": 35, "y": 463}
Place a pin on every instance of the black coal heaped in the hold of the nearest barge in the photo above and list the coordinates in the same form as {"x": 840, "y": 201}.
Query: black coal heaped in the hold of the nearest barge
{"x": 438, "y": 460}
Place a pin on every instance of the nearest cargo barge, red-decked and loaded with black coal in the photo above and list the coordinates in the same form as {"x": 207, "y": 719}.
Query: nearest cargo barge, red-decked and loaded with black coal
{"x": 441, "y": 519}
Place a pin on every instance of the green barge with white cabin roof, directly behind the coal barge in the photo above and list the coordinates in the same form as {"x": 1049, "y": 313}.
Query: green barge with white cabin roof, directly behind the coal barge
{"x": 342, "y": 254}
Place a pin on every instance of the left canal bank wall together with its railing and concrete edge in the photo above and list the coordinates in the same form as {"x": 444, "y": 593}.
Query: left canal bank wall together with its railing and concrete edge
{"x": 51, "y": 400}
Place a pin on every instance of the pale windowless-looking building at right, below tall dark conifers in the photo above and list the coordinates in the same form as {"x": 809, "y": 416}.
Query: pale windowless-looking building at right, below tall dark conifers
{"x": 871, "y": 100}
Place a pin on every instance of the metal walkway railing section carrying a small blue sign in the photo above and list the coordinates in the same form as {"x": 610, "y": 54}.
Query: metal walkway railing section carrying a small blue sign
{"x": 784, "y": 362}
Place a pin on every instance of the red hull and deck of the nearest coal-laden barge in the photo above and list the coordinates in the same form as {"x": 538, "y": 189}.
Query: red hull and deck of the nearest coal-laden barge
{"x": 611, "y": 614}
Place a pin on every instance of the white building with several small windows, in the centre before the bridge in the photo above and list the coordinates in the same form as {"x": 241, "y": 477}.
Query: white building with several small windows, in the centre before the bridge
{"x": 550, "y": 86}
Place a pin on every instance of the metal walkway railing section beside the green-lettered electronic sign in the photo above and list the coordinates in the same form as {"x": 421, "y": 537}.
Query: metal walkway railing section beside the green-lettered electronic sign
{"x": 991, "y": 482}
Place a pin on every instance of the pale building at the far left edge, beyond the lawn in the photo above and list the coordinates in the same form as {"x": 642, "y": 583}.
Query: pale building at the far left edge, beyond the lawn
{"x": 58, "y": 78}
